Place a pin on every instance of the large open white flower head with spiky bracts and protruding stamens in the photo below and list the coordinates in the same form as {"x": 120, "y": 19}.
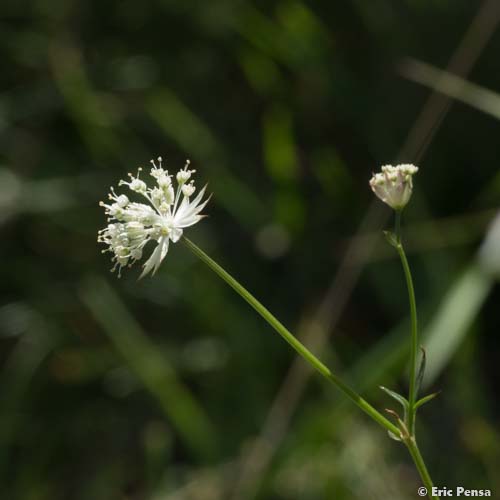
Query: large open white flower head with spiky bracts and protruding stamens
{"x": 161, "y": 220}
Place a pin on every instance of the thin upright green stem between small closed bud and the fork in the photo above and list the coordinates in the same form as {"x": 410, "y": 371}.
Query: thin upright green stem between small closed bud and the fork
{"x": 414, "y": 331}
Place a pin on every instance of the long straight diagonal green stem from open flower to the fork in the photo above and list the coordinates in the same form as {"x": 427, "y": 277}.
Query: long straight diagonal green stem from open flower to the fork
{"x": 296, "y": 344}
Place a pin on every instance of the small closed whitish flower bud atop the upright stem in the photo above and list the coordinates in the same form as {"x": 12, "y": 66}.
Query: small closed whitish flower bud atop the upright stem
{"x": 394, "y": 185}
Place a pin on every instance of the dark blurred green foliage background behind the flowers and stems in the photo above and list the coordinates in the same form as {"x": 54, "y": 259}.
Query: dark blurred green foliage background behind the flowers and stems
{"x": 164, "y": 388}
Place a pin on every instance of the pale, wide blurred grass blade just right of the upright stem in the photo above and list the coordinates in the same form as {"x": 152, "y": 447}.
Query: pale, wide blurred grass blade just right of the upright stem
{"x": 451, "y": 323}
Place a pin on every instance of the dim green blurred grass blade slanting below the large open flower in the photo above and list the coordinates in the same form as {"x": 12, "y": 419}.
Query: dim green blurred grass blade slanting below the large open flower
{"x": 158, "y": 377}
